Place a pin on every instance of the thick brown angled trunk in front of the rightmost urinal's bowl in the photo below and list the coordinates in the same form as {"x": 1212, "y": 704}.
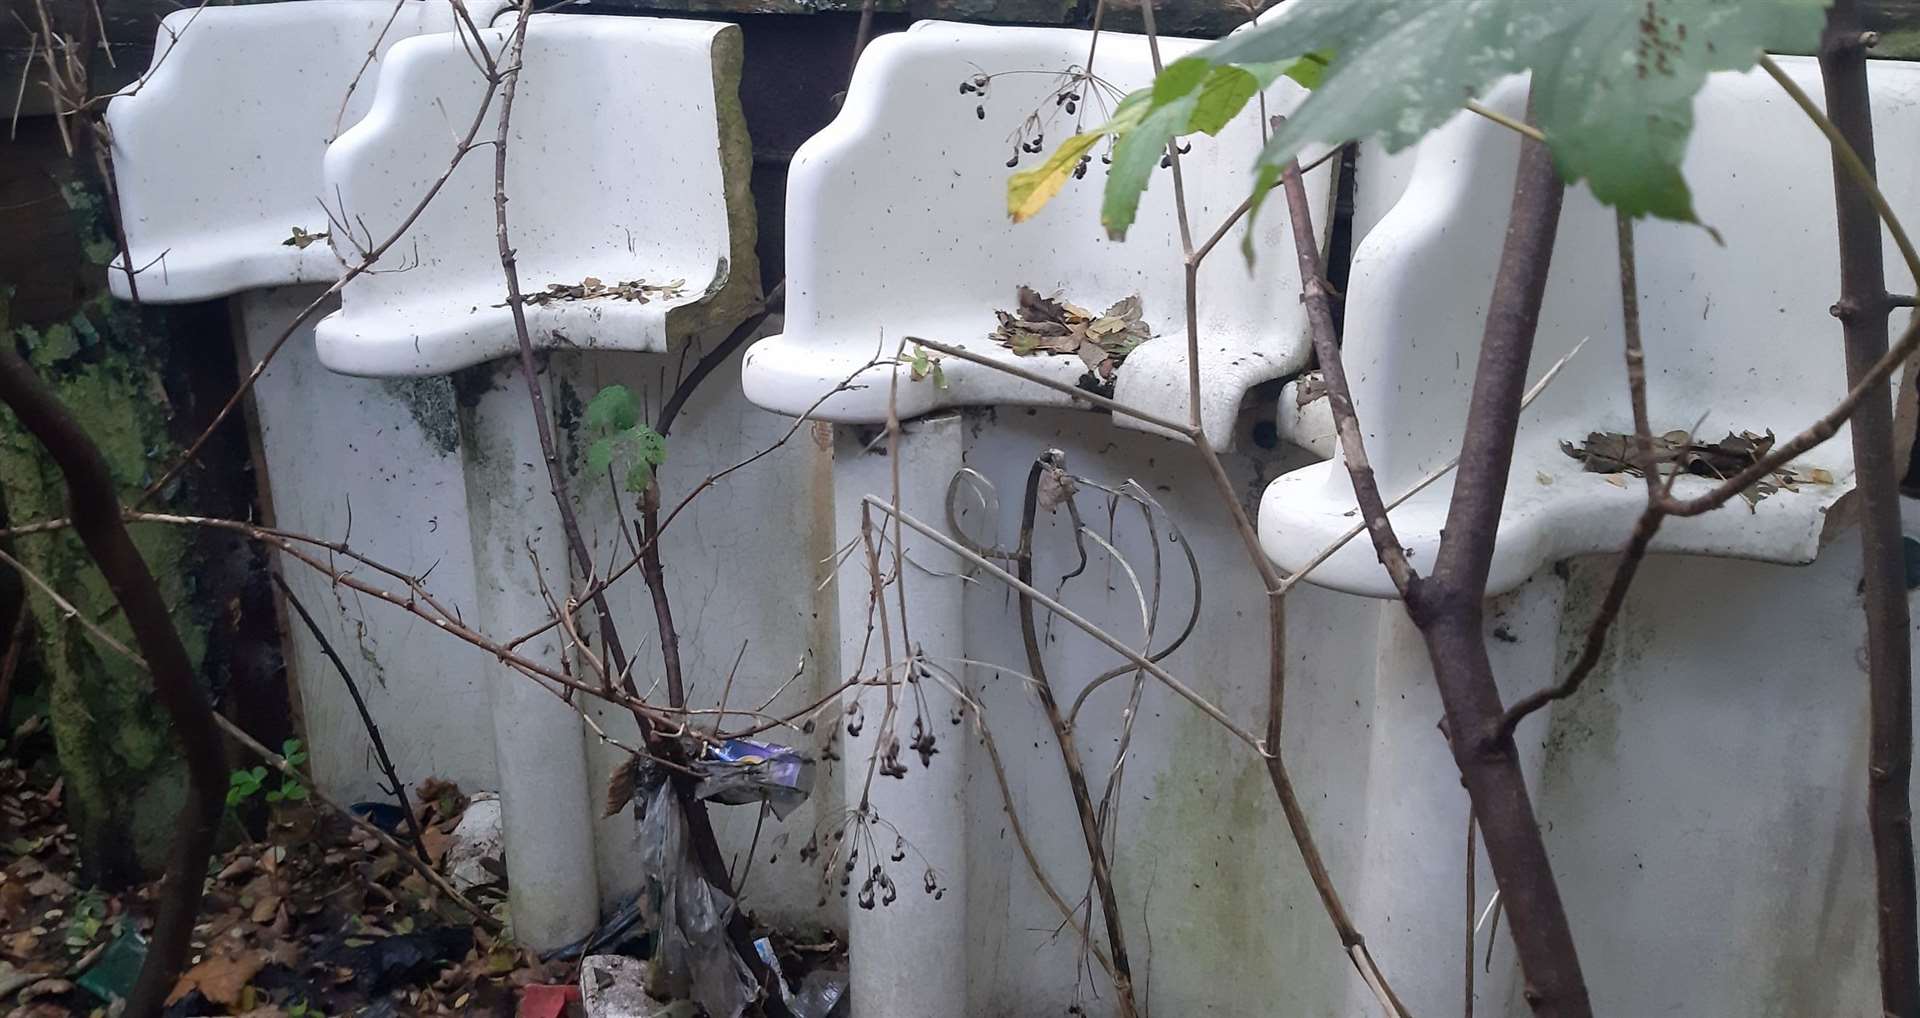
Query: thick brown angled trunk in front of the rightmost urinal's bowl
{"x": 1449, "y": 604}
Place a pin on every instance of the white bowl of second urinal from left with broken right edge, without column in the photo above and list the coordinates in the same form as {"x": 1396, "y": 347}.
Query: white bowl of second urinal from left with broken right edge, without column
{"x": 627, "y": 170}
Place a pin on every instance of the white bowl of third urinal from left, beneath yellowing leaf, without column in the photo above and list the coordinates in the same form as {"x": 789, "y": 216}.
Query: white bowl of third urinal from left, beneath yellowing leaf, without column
{"x": 898, "y": 230}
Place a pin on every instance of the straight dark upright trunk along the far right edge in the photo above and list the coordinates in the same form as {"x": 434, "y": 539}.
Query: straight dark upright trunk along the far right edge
{"x": 1863, "y": 314}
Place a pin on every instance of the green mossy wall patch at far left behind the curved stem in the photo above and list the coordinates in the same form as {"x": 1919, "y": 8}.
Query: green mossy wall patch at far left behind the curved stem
{"x": 124, "y": 779}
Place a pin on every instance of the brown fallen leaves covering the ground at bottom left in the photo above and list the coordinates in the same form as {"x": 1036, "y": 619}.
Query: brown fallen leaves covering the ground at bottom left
{"x": 316, "y": 919}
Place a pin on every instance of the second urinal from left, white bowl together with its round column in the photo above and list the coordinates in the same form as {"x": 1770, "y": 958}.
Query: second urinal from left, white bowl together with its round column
{"x": 629, "y": 212}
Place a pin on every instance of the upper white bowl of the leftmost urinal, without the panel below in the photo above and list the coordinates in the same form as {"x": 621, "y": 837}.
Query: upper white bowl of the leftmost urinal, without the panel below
{"x": 218, "y": 153}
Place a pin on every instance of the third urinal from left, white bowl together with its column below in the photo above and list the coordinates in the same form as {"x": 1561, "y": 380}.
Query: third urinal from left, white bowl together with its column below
{"x": 898, "y": 228}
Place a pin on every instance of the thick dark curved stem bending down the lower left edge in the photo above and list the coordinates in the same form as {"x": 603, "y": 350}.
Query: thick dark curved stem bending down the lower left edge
{"x": 97, "y": 520}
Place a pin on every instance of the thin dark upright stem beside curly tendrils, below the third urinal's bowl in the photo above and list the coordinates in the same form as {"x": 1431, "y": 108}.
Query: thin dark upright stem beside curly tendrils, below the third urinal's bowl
{"x": 1070, "y": 760}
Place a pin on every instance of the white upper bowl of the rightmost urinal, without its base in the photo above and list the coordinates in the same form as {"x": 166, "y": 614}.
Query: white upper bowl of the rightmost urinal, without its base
{"x": 1739, "y": 333}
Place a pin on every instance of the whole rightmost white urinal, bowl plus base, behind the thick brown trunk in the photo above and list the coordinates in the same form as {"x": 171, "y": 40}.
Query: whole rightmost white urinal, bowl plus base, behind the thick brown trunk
{"x": 1739, "y": 339}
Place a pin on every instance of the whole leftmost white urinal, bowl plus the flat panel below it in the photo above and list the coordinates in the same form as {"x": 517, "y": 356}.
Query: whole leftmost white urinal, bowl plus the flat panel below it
{"x": 218, "y": 157}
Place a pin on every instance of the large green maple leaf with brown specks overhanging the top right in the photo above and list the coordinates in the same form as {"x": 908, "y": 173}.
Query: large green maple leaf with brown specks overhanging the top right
{"x": 1614, "y": 82}
